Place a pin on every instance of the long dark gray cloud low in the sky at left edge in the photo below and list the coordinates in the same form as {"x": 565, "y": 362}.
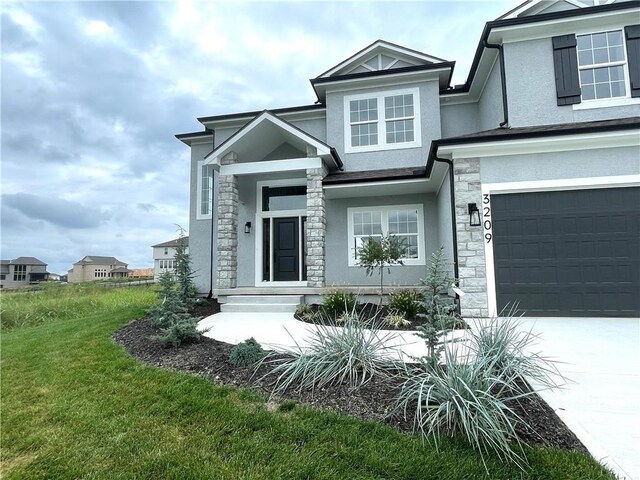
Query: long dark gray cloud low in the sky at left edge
{"x": 54, "y": 210}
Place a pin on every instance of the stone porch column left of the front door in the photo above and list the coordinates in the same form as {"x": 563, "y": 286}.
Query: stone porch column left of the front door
{"x": 227, "y": 237}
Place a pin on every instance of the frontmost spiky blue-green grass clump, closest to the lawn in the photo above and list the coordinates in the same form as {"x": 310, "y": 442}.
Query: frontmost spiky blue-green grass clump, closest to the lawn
{"x": 462, "y": 399}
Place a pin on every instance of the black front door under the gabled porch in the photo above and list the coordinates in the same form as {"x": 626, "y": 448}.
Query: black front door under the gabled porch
{"x": 286, "y": 249}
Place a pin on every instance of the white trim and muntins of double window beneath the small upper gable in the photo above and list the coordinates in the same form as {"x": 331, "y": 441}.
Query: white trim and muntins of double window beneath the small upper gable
{"x": 381, "y": 122}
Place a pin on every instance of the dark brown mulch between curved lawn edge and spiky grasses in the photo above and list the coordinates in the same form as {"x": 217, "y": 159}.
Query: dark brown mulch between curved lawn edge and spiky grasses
{"x": 372, "y": 401}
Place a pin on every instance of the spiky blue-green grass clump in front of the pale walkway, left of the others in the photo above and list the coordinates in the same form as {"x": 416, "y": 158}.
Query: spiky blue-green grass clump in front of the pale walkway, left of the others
{"x": 351, "y": 354}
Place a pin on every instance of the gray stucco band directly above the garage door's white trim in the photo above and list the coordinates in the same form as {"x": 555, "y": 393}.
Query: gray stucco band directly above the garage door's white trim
{"x": 561, "y": 165}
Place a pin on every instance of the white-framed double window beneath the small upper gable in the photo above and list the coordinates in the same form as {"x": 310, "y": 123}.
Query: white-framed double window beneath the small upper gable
{"x": 382, "y": 121}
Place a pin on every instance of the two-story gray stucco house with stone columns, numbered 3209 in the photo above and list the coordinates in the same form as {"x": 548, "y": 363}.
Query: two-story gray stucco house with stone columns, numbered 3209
{"x": 528, "y": 173}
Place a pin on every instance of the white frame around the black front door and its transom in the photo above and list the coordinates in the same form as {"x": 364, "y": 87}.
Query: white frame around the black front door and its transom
{"x": 260, "y": 215}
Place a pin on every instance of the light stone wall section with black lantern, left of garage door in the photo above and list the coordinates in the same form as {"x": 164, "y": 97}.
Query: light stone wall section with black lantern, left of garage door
{"x": 471, "y": 259}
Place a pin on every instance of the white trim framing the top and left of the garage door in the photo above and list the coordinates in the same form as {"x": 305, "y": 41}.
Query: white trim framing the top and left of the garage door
{"x": 489, "y": 189}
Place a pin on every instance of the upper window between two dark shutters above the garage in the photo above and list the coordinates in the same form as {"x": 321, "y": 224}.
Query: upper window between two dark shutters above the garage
{"x": 601, "y": 64}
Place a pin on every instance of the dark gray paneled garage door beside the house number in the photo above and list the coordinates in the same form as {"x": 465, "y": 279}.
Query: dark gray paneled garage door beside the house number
{"x": 571, "y": 253}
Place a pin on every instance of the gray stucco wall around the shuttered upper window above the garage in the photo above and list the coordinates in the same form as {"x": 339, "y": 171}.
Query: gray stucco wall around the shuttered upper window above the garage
{"x": 531, "y": 89}
